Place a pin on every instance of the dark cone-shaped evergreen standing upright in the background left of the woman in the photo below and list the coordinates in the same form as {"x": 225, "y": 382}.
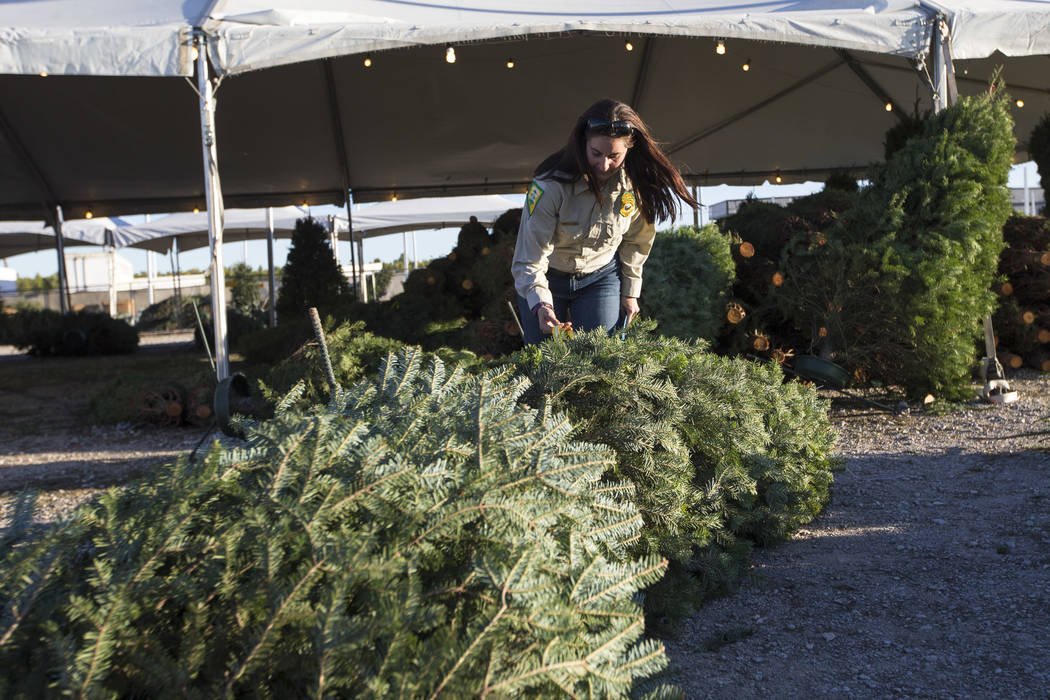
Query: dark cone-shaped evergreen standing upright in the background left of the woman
{"x": 311, "y": 277}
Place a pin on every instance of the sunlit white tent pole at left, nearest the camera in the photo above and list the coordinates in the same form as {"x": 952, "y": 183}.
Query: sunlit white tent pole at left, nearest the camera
{"x": 214, "y": 195}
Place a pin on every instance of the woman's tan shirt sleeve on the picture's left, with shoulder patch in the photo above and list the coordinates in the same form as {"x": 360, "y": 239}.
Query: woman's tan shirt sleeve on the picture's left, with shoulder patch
{"x": 535, "y": 245}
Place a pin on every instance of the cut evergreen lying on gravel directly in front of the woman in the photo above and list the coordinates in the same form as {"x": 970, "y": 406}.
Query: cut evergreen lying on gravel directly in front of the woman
{"x": 722, "y": 453}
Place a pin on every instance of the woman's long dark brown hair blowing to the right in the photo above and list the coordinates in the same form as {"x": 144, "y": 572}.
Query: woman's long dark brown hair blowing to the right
{"x": 656, "y": 181}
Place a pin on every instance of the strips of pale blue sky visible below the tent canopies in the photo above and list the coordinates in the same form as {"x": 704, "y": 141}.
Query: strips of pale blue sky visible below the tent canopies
{"x": 430, "y": 244}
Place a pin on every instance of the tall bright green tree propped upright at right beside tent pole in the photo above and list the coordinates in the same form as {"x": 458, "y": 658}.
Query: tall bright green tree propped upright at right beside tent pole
{"x": 905, "y": 281}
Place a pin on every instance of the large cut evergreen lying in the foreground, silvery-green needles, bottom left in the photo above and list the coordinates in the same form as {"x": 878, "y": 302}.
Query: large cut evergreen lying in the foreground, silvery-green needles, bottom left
{"x": 424, "y": 537}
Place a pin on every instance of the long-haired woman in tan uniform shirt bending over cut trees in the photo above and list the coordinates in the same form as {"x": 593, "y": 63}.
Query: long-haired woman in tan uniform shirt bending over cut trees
{"x": 587, "y": 226}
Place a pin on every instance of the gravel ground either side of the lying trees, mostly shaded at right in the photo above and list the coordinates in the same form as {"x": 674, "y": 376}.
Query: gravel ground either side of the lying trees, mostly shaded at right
{"x": 928, "y": 576}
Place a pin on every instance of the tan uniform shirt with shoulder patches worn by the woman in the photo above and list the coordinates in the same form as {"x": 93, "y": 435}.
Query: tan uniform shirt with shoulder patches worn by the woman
{"x": 565, "y": 229}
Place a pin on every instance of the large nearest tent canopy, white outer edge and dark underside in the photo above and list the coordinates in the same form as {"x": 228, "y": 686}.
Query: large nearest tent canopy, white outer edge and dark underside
{"x": 115, "y": 130}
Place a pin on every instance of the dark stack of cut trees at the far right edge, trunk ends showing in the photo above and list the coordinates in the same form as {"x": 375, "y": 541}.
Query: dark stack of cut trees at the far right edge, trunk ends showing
{"x": 1023, "y": 319}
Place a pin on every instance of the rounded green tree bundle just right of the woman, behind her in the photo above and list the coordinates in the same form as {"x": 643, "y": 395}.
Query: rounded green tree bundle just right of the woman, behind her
{"x": 687, "y": 281}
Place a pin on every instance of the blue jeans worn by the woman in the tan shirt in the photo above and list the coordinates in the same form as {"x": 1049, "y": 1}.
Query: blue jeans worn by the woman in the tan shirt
{"x": 591, "y": 302}
